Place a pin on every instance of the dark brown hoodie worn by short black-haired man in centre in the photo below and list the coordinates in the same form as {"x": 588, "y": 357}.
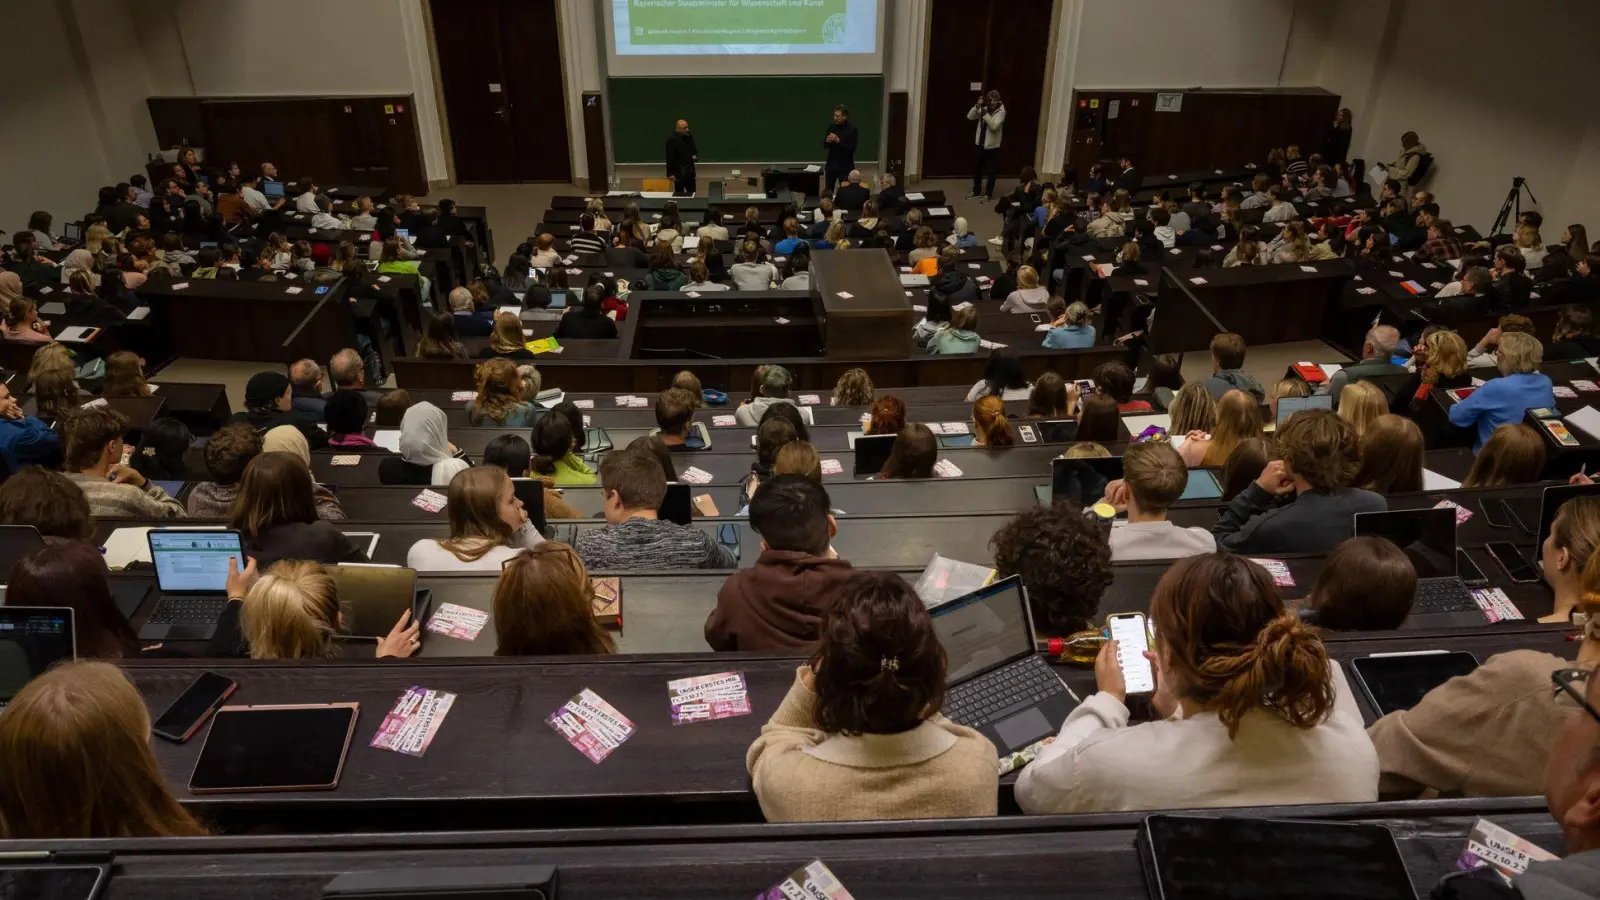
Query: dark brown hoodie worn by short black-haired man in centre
{"x": 777, "y": 605}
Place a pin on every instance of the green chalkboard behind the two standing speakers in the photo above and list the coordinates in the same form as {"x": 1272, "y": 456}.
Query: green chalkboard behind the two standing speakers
{"x": 769, "y": 119}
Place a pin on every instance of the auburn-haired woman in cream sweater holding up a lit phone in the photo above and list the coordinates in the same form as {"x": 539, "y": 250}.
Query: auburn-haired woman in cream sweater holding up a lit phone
{"x": 1254, "y": 710}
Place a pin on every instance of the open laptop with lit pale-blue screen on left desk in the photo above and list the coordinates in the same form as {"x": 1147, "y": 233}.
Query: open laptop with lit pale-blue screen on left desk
{"x": 191, "y": 574}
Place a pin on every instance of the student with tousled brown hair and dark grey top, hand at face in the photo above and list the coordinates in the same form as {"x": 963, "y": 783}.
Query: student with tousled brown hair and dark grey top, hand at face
{"x": 1303, "y": 502}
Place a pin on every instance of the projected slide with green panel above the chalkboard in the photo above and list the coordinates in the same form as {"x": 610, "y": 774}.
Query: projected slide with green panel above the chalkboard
{"x": 686, "y": 38}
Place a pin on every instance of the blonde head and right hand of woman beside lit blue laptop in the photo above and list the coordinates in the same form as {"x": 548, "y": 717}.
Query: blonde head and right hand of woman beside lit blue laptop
{"x": 292, "y": 613}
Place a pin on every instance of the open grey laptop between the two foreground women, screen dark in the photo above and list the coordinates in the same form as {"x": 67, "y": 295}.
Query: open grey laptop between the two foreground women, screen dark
{"x": 996, "y": 681}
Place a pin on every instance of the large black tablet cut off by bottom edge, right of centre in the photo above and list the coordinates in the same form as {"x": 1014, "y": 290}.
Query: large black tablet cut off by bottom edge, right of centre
{"x": 1247, "y": 859}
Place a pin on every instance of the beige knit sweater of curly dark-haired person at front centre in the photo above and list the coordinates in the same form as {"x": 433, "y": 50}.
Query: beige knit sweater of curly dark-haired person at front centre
{"x": 935, "y": 771}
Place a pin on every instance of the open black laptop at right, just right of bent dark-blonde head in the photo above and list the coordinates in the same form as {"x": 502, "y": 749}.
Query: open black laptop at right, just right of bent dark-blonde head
{"x": 1428, "y": 537}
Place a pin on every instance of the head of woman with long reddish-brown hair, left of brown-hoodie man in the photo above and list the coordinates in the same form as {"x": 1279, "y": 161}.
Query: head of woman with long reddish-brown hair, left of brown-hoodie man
{"x": 545, "y": 606}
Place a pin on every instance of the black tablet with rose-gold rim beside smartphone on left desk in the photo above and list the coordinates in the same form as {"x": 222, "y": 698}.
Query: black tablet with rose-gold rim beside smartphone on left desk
{"x": 274, "y": 749}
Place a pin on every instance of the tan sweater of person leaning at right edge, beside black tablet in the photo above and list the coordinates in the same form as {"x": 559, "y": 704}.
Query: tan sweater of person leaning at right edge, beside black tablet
{"x": 1482, "y": 736}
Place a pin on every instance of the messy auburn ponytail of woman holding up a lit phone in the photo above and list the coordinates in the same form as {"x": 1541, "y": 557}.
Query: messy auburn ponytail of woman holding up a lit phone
{"x": 1286, "y": 672}
